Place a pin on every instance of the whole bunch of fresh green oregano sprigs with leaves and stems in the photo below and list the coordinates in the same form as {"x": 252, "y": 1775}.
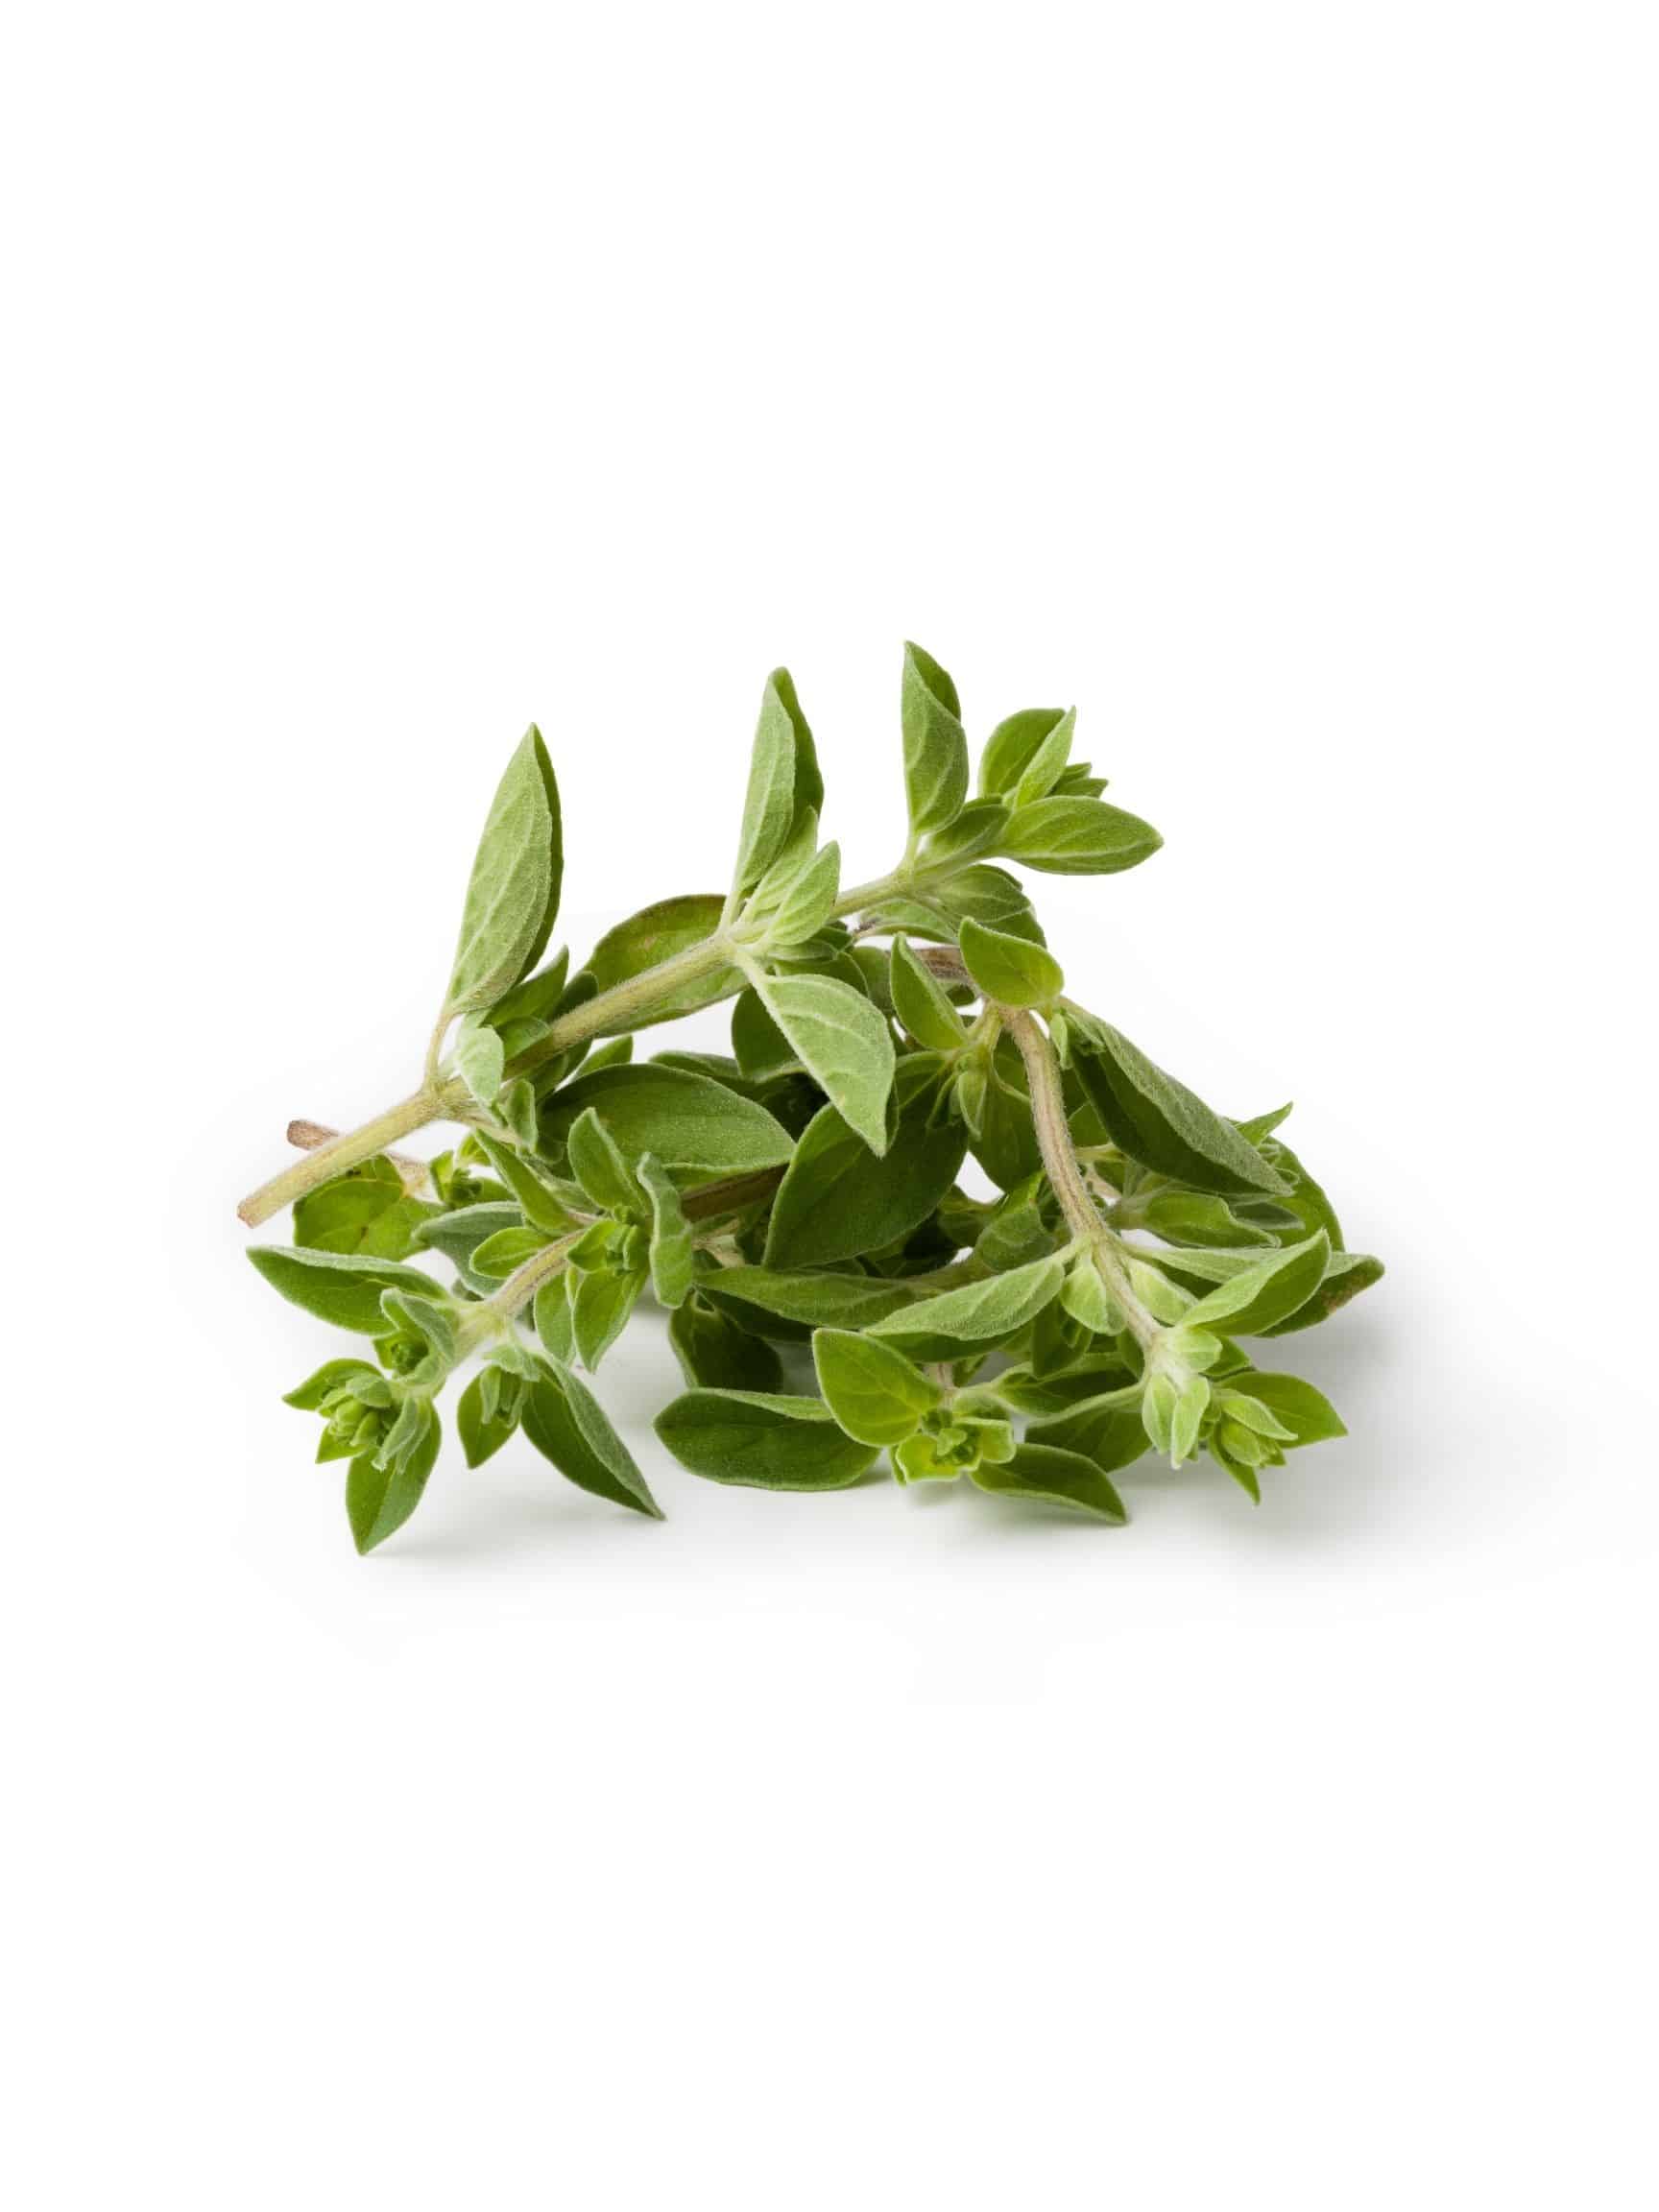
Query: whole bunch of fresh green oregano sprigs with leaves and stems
{"x": 795, "y": 1204}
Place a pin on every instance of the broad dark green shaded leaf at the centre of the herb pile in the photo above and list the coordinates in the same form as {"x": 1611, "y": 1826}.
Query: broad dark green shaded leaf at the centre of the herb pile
{"x": 837, "y": 1202}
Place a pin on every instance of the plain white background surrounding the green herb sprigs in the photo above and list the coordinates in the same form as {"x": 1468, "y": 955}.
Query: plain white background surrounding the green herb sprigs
{"x": 1280, "y": 386}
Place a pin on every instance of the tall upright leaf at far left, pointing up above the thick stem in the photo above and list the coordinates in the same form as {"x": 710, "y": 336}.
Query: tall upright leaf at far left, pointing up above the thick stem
{"x": 514, "y": 890}
